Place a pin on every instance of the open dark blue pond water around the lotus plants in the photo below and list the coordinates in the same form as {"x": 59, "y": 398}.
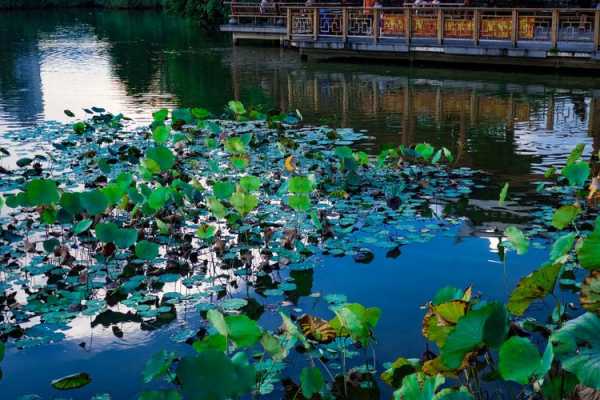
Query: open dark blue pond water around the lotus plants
{"x": 510, "y": 126}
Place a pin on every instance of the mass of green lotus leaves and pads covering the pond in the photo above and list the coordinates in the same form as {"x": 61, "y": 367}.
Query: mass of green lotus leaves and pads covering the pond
{"x": 111, "y": 216}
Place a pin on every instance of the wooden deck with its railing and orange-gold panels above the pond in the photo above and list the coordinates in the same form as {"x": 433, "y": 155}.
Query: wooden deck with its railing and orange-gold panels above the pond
{"x": 545, "y": 38}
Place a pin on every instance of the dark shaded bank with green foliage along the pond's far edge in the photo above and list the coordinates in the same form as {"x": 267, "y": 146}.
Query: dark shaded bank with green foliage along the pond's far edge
{"x": 210, "y": 13}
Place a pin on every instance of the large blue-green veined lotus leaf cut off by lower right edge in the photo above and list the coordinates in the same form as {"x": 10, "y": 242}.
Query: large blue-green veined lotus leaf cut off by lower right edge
{"x": 577, "y": 346}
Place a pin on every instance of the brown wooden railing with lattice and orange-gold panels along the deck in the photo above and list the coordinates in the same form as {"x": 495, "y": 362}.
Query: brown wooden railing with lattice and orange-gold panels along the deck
{"x": 409, "y": 23}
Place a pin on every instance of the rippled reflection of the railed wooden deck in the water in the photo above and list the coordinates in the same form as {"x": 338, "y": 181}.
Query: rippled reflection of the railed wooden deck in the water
{"x": 507, "y": 128}
